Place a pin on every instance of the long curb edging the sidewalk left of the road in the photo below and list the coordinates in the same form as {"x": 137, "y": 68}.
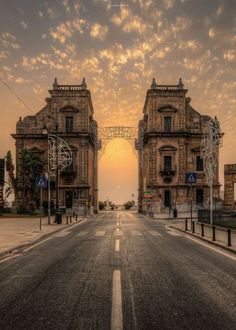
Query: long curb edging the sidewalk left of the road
{"x": 18, "y": 248}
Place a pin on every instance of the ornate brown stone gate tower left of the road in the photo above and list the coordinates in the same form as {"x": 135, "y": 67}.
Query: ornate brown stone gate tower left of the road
{"x": 70, "y": 108}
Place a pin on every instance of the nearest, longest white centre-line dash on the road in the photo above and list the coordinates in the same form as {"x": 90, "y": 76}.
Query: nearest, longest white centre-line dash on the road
{"x": 116, "y": 315}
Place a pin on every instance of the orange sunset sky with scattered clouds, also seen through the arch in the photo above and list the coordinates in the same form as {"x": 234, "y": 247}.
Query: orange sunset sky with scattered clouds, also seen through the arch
{"x": 119, "y": 46}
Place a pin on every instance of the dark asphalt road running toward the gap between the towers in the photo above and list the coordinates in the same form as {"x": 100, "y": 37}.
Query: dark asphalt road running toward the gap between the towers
{"x": 119, "y": 270}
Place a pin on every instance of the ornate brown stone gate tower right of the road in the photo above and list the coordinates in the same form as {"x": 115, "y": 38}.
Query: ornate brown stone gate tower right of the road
{"x": 169, "y": 147}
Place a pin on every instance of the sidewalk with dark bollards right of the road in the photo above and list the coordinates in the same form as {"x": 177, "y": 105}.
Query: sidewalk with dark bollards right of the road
{"x": 221, "y": 238}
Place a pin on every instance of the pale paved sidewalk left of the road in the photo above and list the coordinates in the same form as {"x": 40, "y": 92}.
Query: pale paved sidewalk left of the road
{"x": 17, "y": 232}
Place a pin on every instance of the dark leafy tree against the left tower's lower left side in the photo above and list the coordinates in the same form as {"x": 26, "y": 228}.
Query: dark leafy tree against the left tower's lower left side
{"x": 31, "y": 166}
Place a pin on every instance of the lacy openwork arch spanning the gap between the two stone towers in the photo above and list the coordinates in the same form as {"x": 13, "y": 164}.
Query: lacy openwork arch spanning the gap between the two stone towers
{"x": 106, "y": 134}
